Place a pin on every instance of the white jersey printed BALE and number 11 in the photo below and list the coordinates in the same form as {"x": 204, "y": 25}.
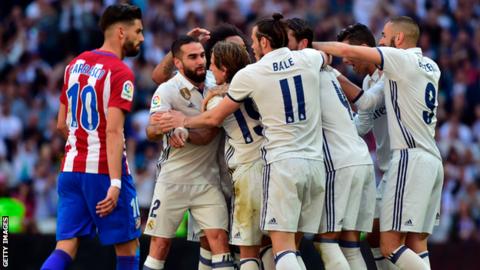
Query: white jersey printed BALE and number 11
{"x": 284, "y": 86}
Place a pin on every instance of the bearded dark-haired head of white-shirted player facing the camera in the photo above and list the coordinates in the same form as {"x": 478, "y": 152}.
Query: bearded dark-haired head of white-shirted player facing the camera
{"x": 189, "y": 58}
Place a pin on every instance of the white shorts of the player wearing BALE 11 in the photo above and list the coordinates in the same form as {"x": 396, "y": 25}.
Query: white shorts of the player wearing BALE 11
{"x": 293, "y": 195}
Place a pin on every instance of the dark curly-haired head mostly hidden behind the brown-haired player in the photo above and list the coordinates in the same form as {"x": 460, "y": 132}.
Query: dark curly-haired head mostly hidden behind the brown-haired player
{"x": 226, "y": 32}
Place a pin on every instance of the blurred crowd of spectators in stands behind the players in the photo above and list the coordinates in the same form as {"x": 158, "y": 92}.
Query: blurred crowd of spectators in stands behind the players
{"x": 38, "y": 38}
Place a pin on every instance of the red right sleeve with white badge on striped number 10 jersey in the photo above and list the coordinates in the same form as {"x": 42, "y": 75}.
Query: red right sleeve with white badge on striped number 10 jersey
{"x": 122, "y": 89}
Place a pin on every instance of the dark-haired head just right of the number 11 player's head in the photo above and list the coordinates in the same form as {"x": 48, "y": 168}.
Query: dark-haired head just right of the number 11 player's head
{"x": 300, "y": 34}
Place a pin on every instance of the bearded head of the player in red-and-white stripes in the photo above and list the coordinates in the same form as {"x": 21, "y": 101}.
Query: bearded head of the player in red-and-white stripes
{"x": 123, "y": 23}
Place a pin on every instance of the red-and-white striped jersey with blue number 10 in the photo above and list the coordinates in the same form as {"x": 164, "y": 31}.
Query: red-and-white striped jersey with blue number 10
{"x": 93, "y": 81}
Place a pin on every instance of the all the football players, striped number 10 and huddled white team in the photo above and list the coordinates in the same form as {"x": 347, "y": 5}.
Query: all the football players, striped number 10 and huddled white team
{"x": 285, "y": 130}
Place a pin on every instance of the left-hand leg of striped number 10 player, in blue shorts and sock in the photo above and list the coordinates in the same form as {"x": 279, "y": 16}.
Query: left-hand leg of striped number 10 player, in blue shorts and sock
{"x": 73, "y": 220}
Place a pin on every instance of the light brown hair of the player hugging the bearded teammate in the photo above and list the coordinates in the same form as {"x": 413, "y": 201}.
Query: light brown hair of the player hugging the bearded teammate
{"x": 231, "y": 56}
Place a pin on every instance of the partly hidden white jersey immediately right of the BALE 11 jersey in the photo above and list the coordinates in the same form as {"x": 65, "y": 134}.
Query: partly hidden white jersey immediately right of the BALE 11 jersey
{"x": 342, "y": 146}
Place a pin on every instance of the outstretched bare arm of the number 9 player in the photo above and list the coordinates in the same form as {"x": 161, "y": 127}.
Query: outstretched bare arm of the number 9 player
{"x": 340, "y": 49}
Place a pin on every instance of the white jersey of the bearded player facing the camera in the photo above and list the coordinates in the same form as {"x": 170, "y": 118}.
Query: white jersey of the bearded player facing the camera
{"x": 192, "y": 164}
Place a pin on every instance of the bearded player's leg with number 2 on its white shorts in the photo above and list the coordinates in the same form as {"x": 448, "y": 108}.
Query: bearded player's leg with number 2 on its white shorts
{"x": 166, "y": 212}
